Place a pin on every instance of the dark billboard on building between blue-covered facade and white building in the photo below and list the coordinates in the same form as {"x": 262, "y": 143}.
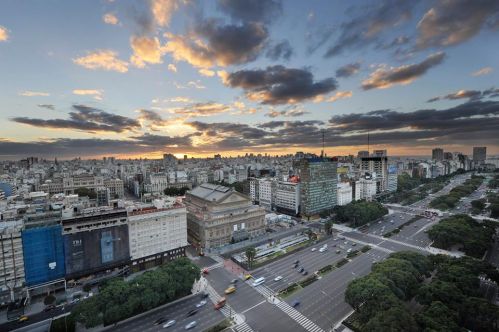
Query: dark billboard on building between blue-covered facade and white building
{"x": 96, "y": 250}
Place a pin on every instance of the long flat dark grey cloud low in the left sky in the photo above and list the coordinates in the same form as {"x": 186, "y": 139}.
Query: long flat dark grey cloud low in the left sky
{"x": 85, "y": 118}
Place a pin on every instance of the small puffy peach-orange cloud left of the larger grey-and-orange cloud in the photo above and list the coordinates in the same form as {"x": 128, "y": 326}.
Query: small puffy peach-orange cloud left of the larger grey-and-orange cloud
{"x": 145, "y": 49}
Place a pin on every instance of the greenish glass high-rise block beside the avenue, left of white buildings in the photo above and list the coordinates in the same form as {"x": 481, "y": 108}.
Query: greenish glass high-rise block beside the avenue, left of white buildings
{"x": 318, "y": 184}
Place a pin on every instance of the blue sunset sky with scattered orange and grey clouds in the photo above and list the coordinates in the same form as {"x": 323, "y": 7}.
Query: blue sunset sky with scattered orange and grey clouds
{"x": 124, "y": 78}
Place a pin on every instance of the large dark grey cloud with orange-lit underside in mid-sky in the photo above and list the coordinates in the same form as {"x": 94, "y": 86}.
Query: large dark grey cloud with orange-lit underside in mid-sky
{"x": 279, "y": 85}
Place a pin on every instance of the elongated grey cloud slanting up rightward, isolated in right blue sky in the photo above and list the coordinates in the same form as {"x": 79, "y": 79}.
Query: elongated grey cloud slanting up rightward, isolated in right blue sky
{"x": 383, "y": 78}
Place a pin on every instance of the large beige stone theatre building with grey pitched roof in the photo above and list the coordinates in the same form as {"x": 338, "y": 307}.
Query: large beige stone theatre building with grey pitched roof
{"x": 218, "y": 215}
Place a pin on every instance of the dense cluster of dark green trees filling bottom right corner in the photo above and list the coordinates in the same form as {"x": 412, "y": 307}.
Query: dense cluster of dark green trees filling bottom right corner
{"x": 411, "y": 292}
